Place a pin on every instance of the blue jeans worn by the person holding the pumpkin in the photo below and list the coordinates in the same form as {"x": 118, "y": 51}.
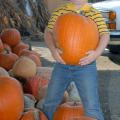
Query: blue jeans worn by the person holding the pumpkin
{"x": 85, "y": 78}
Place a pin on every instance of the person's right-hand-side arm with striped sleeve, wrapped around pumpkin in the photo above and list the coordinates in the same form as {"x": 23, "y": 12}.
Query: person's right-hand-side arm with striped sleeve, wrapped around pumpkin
{"x": 92, "y": 55}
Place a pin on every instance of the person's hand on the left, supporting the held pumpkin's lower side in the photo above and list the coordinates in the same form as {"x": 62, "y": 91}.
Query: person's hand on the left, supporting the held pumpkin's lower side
{"x": 56, "y": 55}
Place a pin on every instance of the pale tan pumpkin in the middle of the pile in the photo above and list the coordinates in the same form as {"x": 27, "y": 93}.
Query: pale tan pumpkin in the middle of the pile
{"x": 24, "y": 67}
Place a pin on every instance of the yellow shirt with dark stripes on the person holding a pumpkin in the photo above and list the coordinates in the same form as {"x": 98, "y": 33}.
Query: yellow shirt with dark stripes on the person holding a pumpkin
{"x": 86, "y": 10}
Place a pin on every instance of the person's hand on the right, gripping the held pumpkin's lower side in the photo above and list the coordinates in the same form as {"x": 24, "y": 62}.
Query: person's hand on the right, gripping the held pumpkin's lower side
{"x": 91, "y": 56}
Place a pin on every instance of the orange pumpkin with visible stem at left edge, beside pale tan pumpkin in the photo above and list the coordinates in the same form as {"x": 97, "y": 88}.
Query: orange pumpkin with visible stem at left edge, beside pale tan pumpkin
{"x": 7, "y": 59}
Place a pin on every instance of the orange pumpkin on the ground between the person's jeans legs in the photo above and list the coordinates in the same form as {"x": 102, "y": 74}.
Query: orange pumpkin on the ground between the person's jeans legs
{"x": 68, "y": 111}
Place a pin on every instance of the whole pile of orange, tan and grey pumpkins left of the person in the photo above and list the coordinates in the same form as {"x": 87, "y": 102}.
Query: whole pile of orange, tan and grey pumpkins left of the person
{"x": 18, "y": 62}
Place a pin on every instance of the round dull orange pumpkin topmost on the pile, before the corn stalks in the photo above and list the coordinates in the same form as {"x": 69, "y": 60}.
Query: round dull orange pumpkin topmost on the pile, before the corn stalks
{"x": 11, "y": 36}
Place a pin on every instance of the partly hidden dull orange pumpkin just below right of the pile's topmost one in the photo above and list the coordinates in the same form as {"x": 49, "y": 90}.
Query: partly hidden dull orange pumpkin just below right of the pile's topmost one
{"x": 19, "y": 47}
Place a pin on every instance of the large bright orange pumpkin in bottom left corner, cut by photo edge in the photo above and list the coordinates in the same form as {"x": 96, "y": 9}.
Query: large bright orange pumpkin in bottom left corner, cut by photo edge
{"x": 11, "y": 99}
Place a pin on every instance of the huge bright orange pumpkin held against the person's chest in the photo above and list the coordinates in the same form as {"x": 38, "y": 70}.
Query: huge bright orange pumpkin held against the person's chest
{"x": 75, "y": 35}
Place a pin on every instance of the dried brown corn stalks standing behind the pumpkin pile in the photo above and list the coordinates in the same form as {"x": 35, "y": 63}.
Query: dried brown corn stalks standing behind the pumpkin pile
{"x": 12, "y": 15}
